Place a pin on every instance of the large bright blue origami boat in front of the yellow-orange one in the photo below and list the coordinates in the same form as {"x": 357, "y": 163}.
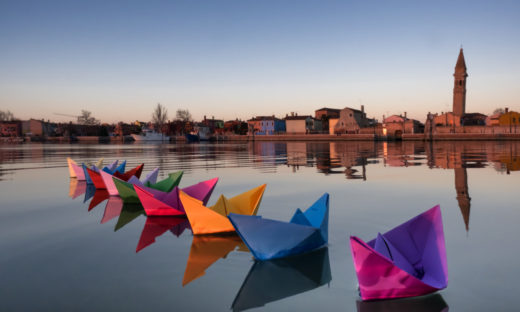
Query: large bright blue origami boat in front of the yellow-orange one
{"x": 271, "y": 239}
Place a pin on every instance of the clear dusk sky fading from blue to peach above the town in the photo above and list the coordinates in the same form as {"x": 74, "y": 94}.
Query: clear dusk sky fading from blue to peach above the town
{"x": 232, "y": 59}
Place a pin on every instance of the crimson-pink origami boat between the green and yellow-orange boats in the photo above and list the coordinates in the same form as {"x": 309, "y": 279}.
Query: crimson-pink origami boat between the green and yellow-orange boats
{"x": 157, "y": 203}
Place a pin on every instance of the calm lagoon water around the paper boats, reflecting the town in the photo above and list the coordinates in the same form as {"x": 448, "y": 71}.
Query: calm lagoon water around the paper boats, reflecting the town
{"x": 59, "y": 255}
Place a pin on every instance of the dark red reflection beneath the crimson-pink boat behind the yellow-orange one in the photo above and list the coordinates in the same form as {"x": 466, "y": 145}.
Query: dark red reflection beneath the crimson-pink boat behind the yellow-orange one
{"x": 157, "y": 226}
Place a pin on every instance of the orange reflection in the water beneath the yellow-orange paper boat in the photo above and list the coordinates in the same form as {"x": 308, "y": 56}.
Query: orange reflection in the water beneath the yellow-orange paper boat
{"x": 206, "y": 250}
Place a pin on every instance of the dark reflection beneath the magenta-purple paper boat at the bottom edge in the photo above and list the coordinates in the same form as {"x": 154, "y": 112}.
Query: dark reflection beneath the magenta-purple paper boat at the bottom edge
{"x": 430, "y": 303}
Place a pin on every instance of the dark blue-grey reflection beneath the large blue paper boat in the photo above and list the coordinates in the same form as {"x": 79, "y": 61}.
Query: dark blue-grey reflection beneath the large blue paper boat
{"x": 272, "y": 280}
